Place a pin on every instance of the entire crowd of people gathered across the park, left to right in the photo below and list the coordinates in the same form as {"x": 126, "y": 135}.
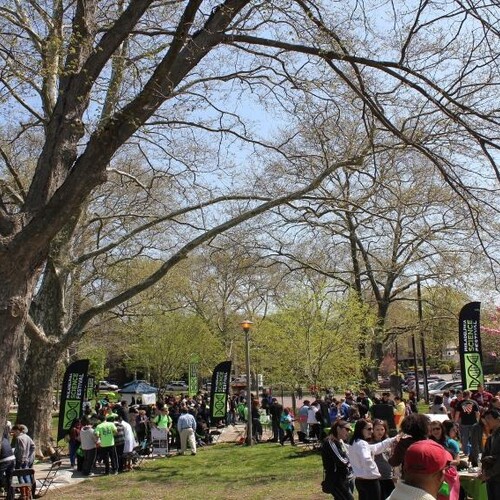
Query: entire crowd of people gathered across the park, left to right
{"x": 380, "y": 446}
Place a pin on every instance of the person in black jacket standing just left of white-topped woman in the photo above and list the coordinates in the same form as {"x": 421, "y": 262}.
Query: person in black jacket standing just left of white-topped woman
{"x": 337, "y": 468}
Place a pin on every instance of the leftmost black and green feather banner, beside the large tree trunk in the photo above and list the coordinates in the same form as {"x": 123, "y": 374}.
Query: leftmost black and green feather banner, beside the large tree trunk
{"x": 73, "y": 392}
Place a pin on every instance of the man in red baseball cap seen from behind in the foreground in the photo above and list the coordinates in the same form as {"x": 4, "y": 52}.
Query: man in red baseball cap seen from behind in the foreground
{"x": 424, "y": 465}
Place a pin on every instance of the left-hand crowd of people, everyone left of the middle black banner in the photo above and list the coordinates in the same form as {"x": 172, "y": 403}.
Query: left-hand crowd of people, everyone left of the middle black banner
{"x": 108, "y": 436}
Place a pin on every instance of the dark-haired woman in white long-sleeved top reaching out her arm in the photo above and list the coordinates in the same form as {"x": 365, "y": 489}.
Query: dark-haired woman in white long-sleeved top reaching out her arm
{"x": 361, "y": 455}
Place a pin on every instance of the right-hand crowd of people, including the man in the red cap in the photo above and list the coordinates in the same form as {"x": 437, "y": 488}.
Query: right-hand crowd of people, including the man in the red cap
{"x": 422, "y": 459}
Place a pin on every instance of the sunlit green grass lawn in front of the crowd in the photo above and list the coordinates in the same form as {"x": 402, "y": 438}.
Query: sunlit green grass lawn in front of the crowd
{"x": 224, "y": 471}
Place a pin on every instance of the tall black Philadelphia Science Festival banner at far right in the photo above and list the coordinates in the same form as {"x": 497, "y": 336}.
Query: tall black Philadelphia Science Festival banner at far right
{"x": 470, "y": 352}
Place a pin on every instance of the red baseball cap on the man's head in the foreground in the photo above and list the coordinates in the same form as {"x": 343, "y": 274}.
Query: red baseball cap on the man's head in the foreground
{"x": 426, "y": 457}
